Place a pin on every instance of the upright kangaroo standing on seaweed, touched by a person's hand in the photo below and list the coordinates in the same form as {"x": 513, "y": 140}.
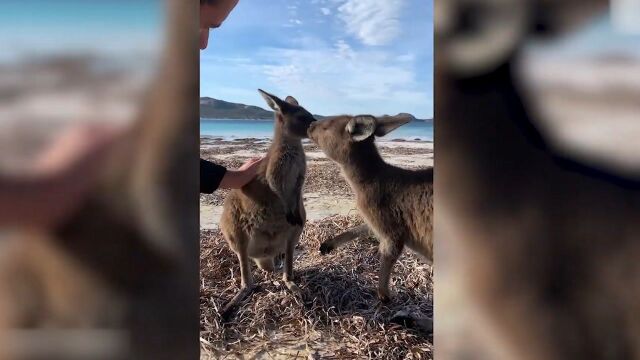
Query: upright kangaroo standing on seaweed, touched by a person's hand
{"x": 265, "y": 218}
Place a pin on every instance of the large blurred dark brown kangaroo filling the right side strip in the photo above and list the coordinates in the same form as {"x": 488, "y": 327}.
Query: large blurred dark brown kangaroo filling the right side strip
{"x": 552, "y": 242}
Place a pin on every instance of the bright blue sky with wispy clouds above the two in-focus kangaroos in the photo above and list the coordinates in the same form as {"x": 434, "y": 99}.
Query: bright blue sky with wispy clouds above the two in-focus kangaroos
{"x": 334, "y": 56}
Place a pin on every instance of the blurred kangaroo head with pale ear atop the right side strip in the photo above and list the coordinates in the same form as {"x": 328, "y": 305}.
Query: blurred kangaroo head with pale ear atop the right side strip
{"x": 477, "y": 36}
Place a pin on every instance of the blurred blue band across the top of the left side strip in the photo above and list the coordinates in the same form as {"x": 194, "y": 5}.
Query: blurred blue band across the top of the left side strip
{"x": 31, "y": 28}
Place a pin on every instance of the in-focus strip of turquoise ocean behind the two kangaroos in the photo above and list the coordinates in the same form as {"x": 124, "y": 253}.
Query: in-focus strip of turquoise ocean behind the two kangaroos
{"x": 263, "y": 129}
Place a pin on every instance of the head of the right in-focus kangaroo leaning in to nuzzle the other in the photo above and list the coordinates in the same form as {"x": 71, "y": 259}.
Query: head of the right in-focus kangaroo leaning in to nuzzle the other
{"x": 341, "y": 137}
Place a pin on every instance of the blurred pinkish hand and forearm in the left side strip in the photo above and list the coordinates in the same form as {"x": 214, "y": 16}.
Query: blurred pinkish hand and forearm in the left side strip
{"x": 59, "y": 179}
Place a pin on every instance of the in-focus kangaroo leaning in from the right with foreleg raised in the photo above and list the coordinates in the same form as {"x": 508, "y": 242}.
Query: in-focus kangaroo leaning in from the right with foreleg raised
{"x": 396, "y": 203}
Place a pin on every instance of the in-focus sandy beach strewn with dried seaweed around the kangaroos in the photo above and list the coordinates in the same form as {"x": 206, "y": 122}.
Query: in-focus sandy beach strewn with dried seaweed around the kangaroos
{"x": 338, "y": 315}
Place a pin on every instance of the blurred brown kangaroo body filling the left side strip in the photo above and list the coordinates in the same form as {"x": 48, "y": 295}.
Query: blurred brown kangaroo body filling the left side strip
{"x": 128, "y": 260}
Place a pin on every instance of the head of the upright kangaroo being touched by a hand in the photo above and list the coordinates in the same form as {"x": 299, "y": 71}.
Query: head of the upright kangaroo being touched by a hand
{"x": 291, "y": 118}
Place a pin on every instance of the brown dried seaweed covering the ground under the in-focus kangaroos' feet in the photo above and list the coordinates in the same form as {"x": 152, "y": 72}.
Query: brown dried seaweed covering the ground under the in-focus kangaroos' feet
{"x": 338, "y": 316}
